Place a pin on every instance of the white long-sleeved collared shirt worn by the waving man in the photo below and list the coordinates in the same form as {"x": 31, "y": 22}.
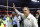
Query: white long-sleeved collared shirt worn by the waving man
{"x": 29, "y": 21}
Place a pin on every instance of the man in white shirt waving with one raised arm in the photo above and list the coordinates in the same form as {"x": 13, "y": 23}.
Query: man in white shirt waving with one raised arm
{"x": 29, "y": 19}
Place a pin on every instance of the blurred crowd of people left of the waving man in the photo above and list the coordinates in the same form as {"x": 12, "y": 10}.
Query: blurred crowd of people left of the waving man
{"x": 12, "y": 20}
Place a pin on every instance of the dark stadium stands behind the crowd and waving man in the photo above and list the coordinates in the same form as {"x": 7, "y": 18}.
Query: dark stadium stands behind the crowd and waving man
{"x": 33, "y": 6}
